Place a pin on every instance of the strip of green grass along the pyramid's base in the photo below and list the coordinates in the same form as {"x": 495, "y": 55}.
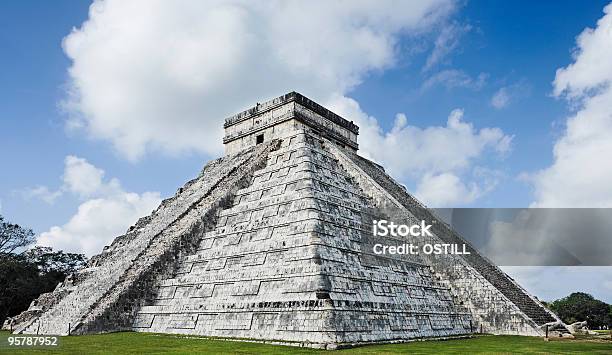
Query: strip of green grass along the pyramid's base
{"x": 142, "y": 343}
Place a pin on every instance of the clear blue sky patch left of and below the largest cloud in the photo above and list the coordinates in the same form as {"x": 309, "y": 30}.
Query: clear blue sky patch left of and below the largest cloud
{"x": 32, "y": 84}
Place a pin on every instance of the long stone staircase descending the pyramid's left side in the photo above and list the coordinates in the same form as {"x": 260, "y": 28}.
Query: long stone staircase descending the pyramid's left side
{"x": 103, "y": 296}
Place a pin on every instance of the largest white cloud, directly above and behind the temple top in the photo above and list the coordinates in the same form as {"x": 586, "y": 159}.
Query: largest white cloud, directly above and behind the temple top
{"x": 146, "y": 72}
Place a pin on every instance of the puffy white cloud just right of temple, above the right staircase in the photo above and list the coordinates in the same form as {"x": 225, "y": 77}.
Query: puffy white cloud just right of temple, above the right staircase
{"x": 435, "y": 157}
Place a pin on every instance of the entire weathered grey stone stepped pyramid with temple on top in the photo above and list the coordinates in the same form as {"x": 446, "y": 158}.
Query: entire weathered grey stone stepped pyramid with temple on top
{"x": 273, "y": 241}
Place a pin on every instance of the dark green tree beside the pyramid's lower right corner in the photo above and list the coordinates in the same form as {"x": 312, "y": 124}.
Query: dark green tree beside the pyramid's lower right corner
{"x": 580, "y": 306}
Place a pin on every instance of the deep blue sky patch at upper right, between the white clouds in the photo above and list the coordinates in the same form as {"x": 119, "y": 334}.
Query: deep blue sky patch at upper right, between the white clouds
{"x": 515, "y": 43}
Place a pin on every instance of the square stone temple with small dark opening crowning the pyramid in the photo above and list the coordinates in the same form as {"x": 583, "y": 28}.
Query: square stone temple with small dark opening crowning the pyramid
{"x": 277, "y": 117}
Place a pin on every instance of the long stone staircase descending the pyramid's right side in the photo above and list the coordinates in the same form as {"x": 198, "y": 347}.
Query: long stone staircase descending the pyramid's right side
{"x": 497, "y": 303}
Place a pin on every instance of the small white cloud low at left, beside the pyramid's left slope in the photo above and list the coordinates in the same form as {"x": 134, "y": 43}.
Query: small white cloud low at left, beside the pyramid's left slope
{"x": 106, "y": 211}
